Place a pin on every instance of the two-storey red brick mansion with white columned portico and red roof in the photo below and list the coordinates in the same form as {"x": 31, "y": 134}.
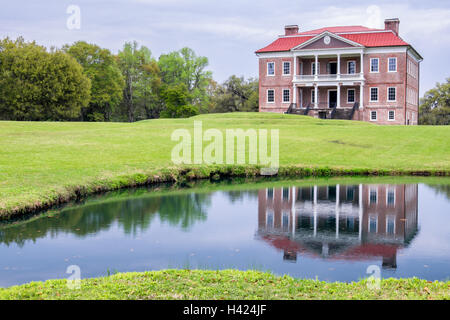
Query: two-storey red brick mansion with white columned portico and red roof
{"x": 353, "y": 72}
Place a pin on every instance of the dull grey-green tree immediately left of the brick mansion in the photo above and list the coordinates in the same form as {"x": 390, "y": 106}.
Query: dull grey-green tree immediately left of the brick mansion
{"x": 236, "y": 94}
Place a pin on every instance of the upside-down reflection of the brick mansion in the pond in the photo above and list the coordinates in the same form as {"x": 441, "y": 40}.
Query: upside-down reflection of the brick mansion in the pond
{"x": 340, "y": 222}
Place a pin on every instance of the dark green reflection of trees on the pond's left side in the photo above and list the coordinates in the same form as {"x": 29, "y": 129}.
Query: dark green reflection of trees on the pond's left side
{"x": 132, "y": 215}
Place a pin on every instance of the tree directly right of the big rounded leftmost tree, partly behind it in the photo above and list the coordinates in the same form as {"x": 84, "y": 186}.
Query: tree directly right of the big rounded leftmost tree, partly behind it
{"x": 100, "y": 66}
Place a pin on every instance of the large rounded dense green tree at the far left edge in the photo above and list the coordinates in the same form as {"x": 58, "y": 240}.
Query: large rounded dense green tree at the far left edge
{"x": 40, "y": 85}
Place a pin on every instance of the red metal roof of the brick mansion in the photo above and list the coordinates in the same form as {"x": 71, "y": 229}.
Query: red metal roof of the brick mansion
{"x": 364, "y": 36}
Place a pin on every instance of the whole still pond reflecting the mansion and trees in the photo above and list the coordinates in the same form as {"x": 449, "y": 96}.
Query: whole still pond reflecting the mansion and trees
{"x": 323, "y": 230}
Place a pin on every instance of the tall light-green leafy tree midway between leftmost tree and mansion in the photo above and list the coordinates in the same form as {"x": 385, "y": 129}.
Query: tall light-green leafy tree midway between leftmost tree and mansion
{"x": 185, "y": 67}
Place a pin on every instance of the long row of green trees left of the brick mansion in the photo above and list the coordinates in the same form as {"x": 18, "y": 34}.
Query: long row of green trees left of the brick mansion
{"x": 84, "y": 82}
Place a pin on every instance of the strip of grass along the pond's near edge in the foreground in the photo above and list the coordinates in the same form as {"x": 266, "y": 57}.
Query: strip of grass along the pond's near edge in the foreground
{"x": 226, "y": 284}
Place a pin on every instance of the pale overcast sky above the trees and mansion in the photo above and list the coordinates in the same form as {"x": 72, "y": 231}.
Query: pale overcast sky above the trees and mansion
{"x": 228, "y": 32}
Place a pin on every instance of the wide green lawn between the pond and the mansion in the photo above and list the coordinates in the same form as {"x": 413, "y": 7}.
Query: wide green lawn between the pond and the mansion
{"x": 42, "y": 163}
